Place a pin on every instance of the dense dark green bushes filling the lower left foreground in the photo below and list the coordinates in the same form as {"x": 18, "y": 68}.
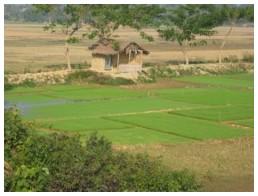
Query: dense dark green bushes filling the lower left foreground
{"x": 60, "y": 163}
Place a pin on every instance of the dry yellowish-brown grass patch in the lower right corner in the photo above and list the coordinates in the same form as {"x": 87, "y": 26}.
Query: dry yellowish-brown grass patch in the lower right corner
{"x": 222, "y": 165}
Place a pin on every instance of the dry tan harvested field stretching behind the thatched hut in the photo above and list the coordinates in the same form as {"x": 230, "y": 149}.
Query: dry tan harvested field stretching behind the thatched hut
{"x": 28, "y": 46}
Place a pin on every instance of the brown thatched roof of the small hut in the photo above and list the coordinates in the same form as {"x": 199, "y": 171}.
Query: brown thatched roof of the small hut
{"x": 105, "y": 47}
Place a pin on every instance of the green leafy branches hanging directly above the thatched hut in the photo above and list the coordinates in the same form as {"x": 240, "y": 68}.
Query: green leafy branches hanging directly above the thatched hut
{"x": 106, "y": 19}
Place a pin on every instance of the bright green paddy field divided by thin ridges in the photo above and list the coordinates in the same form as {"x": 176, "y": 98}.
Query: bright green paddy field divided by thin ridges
{"x": 215, "y": 107}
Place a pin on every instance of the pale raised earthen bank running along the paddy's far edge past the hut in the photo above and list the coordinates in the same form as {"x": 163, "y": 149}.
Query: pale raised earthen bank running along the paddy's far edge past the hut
{"x": 54, "y": 77}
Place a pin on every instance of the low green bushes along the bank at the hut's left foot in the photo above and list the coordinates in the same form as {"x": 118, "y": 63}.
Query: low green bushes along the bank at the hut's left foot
{"x": 95, "y": 77}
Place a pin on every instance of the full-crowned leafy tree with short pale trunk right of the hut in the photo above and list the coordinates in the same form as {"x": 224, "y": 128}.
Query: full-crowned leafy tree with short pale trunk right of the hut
{"x": 183, "y": 23}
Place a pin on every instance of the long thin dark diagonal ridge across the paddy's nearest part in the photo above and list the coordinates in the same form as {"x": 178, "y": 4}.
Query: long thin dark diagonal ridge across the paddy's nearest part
{"x": 152, "y": 129}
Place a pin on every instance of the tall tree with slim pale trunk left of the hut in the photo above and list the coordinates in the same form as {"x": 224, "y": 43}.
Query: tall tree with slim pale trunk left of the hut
{"x": 70, "y": 23}
